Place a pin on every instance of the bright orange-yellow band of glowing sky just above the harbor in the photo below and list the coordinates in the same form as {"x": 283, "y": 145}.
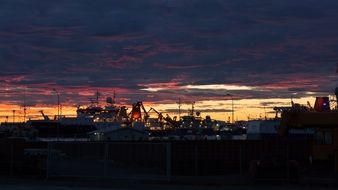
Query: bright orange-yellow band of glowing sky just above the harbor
{"x": 218, "y": 109}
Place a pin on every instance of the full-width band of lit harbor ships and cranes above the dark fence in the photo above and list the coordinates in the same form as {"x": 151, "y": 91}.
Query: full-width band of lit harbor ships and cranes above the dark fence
{"x": 113, "y": 122}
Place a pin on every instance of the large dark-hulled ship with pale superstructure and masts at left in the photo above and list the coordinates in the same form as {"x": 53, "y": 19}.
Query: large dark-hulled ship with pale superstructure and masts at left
{"x": 88, "y": 119}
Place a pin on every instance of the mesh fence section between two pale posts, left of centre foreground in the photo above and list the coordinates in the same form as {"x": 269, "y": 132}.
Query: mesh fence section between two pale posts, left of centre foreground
{"x": 108, "y": 160}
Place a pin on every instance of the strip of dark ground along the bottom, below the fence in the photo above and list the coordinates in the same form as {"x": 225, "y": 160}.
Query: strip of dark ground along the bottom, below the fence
{"x": 29, "y": 184}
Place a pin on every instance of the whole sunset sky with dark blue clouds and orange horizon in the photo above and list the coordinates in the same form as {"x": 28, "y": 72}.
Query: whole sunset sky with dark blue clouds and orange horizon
{"x": 262, "y": 52}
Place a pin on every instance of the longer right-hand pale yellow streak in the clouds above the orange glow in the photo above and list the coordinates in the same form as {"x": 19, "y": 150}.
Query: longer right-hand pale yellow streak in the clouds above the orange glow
{"x": 218, "y": 87}
